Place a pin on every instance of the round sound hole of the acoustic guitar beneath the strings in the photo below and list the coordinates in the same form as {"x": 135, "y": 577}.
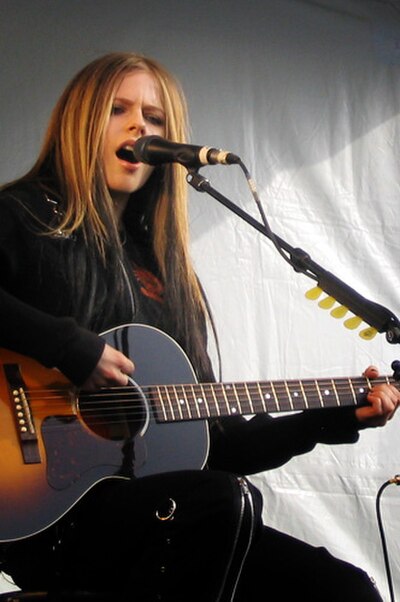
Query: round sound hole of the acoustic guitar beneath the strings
{"x": 118, "y": 413}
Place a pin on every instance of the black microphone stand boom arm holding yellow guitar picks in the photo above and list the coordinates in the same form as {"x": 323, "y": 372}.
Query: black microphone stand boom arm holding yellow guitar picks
{"x": 373, "y": 314}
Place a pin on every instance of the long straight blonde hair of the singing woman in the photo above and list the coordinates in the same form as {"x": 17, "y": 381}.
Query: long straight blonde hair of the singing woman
{"x": 72, "y": 152}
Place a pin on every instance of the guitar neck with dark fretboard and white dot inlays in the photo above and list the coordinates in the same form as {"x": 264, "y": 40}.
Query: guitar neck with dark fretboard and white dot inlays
{"x": 201, "y": 401}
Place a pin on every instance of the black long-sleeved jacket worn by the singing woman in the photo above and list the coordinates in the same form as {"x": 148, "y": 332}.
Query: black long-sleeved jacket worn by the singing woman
{"x": 36, "y": 320}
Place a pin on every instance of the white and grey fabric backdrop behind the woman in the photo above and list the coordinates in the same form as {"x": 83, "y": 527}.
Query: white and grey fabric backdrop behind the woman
{"x": 308, "y": 94}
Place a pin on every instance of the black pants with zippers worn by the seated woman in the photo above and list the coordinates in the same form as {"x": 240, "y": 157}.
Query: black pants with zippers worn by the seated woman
{"x": 114, "y": 540}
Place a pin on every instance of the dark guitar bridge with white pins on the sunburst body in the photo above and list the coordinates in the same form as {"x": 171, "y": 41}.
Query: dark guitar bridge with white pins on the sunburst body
{"x": 21, "y": 409}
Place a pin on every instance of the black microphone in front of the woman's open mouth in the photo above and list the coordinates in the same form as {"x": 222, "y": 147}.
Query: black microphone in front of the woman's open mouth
{"x": 156, "y": 150}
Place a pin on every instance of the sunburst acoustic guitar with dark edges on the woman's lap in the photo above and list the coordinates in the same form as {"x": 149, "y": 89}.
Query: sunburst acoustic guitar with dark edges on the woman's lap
{"x": 57, "y": 442}
